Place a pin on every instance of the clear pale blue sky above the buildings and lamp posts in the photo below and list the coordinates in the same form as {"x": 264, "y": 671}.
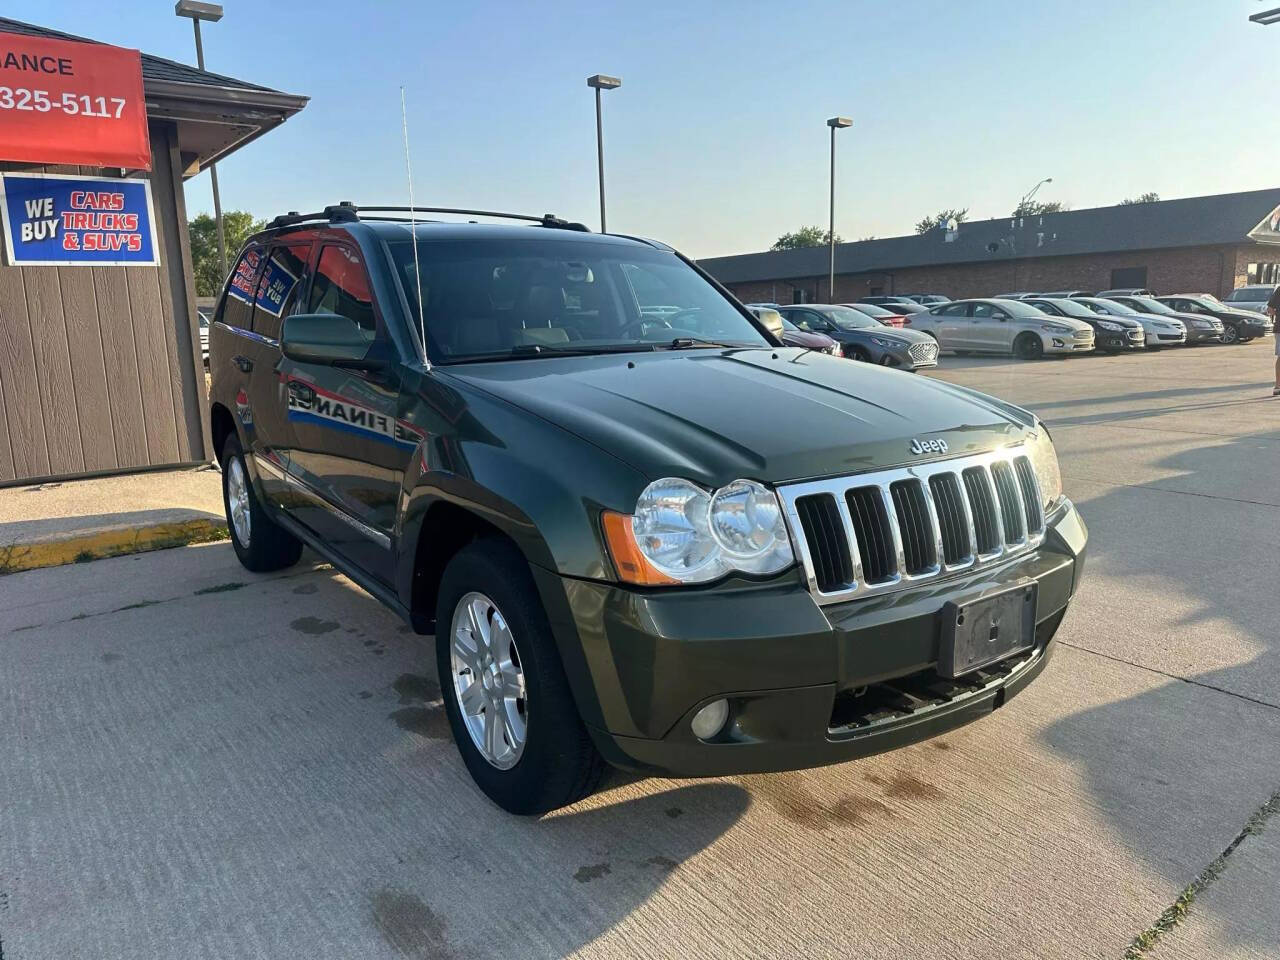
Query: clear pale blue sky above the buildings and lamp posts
{"x": 716, "y": 141}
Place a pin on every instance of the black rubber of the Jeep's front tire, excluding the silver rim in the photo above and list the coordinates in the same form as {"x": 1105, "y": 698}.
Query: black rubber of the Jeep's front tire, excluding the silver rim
{"x": 559, "y": 764}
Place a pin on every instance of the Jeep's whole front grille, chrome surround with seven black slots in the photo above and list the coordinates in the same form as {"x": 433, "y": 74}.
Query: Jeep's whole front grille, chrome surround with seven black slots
{"x": 874, "y": 533}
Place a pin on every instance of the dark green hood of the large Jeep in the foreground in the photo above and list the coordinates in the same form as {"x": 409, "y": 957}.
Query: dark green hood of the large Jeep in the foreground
{"x": 772, "y": 415}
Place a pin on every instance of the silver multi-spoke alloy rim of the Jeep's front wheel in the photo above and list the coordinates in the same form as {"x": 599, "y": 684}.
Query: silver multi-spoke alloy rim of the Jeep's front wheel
{"x": 488, "y": 680}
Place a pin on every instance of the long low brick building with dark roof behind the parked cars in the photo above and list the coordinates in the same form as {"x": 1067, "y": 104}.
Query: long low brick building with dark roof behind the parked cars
{"x": 1203, "y": 245}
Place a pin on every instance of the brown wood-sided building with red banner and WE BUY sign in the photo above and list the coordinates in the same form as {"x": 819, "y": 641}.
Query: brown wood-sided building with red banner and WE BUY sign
{"x": 100, "y": 364}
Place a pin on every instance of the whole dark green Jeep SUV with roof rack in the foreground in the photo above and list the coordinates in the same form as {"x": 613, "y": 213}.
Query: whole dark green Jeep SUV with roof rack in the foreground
{"x": 643, "y": 532}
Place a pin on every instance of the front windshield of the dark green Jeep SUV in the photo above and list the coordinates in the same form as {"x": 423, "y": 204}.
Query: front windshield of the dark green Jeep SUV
{"x": 500, "y": 299}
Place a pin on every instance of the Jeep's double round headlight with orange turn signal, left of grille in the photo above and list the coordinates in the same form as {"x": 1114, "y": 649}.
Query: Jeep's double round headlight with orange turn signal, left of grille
{"x": 683, "y": 534}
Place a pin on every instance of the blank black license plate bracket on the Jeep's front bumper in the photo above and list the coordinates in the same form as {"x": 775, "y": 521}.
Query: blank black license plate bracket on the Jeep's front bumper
{"x": 988, "y": 629}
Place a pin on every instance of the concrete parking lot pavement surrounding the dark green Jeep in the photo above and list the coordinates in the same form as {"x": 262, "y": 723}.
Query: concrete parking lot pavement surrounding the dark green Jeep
{"x": 199, "y": 762}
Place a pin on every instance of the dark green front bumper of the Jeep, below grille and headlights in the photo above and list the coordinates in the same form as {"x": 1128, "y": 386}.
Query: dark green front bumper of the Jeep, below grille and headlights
{"x": 808, "y": 685}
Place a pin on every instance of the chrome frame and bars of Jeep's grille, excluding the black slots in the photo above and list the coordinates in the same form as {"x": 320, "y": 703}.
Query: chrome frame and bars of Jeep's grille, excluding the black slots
{"x": 839, "y": 487}
